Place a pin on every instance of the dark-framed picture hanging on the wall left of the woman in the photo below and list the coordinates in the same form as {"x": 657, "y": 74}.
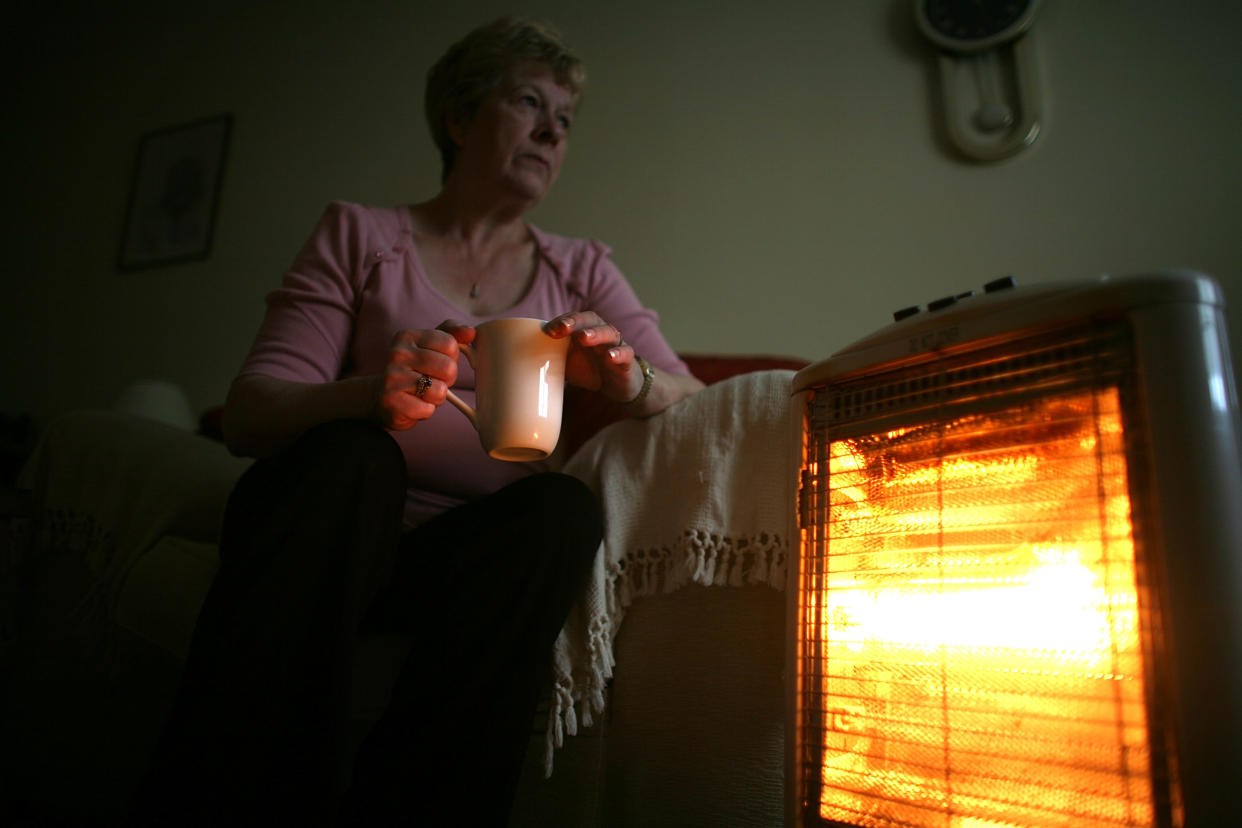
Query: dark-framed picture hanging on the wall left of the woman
{"x": 176, "y": 189}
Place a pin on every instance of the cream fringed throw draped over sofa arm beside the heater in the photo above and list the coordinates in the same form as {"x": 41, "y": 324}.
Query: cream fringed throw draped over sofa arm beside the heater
{"x": 699, "y": 495}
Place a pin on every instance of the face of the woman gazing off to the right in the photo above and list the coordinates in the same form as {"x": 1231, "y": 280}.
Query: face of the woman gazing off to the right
{"x": 520, "y": 136}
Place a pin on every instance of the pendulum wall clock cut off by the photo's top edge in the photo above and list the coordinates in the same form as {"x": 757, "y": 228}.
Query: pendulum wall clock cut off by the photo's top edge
{"x": 989, "y": 80}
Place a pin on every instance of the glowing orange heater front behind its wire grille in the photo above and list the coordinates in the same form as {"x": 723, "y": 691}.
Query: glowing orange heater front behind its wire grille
{"x": 972, "y": 628}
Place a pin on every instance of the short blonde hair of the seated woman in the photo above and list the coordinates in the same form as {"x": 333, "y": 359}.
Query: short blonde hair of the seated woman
{"x": 474, "y": 68}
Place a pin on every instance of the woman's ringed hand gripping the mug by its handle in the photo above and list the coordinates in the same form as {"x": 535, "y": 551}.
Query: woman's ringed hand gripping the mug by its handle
{"x": 406, "y": 398}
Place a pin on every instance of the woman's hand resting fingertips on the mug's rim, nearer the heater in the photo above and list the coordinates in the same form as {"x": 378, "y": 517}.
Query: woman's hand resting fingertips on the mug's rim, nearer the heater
{"x": 599, "y": 359}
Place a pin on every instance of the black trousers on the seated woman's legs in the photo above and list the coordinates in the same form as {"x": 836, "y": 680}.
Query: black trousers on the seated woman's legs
{"x": 312, "y": 556}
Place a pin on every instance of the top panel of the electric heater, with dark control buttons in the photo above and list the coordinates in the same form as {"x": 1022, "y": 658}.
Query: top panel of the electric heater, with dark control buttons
{"x": 1004, "y": 310}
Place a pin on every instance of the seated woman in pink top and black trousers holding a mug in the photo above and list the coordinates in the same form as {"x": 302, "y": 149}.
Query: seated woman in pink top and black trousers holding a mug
{"x": 374, "y": 507}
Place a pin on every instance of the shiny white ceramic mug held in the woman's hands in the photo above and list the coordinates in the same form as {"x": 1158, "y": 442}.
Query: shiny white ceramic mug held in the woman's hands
{"x": 520, "y": 384}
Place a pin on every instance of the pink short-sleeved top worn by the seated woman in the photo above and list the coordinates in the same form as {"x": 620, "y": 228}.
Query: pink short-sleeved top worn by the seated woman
{"x": 358, "y": 281}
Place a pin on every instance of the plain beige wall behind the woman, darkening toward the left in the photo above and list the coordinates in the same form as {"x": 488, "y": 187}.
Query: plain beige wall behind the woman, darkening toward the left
{"x": 769, "y": 174}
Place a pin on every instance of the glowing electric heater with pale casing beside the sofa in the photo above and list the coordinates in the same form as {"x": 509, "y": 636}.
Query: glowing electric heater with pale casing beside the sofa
{"x": 1019, "y": 590}
